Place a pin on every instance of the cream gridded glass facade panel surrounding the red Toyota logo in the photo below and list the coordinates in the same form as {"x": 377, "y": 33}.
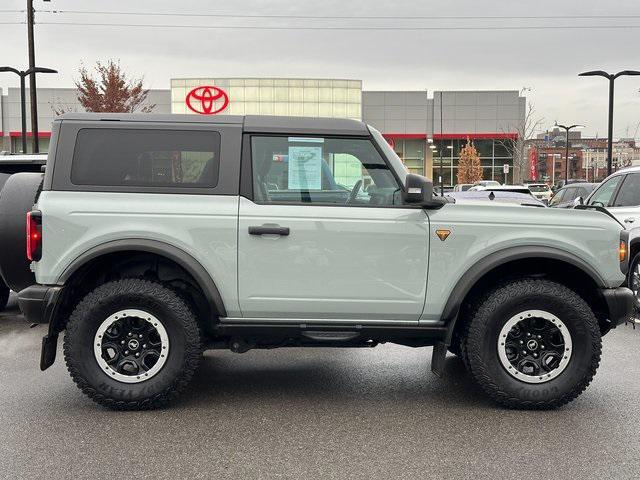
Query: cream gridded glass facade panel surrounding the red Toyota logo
{"x": 277, "y": 96}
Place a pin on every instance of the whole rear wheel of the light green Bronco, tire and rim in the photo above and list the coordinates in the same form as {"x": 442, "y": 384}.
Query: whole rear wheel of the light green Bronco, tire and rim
{"x": 132, "y": 344}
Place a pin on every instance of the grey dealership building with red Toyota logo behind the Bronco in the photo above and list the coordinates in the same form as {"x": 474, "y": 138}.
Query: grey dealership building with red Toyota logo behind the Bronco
{"x": 426, "y": 128}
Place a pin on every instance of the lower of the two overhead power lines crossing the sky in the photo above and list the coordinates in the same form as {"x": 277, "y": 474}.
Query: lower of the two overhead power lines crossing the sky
{"x": 368, "y": 28}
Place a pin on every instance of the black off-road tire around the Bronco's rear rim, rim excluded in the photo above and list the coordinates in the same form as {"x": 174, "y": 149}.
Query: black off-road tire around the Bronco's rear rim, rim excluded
{"x": 177, "y": 317}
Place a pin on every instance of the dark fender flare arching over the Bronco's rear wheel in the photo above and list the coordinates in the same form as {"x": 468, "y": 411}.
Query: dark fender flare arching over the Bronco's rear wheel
{"x": 179, "y": 256}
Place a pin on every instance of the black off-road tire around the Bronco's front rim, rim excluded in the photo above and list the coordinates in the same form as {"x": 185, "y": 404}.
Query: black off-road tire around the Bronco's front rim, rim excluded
{"x": 480, "y": 346}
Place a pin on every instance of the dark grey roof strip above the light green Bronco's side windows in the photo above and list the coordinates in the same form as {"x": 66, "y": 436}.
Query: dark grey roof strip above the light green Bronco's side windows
{"x": 251, "y": 123}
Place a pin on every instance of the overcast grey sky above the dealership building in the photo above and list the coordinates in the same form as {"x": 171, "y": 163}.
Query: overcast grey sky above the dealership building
{"x": 547, "y": 61}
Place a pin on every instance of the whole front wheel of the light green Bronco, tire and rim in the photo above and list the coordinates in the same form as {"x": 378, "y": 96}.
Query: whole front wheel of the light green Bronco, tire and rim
{"x": 533, "y": 344}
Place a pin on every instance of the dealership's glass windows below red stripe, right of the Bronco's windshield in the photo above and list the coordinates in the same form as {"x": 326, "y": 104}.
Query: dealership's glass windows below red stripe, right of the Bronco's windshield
{"x": 493, "y": 156}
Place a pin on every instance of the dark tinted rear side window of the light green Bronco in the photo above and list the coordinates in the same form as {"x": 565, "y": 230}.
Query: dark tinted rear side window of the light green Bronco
{"x": 146, "y": 158}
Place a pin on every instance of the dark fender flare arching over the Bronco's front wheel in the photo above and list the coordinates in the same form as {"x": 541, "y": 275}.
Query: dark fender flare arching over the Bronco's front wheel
{"x": 501, "y": 257}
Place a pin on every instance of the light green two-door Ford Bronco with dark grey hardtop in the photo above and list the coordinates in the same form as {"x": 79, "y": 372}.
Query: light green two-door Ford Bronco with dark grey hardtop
{"x": 154, "y": 238}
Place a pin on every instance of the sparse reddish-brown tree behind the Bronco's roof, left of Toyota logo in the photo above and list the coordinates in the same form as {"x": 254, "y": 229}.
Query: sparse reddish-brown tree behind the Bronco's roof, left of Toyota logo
{"x": 111, "y": 91}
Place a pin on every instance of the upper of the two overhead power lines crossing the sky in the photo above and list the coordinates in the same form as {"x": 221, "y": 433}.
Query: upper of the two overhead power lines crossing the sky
{"x": 348, "y": 17}
